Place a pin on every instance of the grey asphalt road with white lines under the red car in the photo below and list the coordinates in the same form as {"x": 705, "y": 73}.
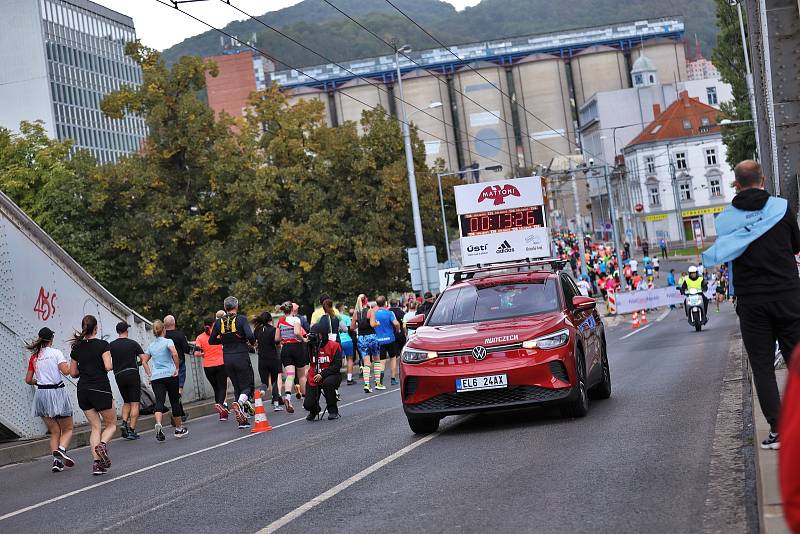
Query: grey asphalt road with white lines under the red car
{"x": 638, "y": 462}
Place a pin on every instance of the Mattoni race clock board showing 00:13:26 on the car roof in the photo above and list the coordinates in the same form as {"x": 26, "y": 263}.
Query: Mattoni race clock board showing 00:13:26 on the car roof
{"x": 502, "y": 221}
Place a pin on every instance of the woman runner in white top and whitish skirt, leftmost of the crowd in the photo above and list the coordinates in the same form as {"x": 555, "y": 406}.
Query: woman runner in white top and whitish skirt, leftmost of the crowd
{"x": 51, "y": 402}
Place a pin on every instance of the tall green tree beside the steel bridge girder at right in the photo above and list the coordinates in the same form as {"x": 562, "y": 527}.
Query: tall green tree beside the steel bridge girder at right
{"x": 728, "y": 57}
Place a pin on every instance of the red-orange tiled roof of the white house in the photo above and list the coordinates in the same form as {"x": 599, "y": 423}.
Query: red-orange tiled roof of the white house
{"x": 683, "y": 118}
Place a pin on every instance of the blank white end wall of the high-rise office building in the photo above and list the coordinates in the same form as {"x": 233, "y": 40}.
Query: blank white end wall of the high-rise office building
{"x": 24, "y": 89}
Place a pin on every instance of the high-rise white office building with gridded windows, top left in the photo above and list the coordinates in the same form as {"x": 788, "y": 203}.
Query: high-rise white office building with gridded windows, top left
{"x": 58, "y": 58}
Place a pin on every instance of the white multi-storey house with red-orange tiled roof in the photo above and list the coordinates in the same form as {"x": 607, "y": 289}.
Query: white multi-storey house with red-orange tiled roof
{"x": 677, "y": 173}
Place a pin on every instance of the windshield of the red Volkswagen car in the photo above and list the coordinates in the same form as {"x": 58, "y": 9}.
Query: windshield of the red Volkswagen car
{"x": 488, "y": 302}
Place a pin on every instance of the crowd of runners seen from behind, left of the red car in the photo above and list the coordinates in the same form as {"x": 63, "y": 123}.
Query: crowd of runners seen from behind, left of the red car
{"x": 299, "y": 359}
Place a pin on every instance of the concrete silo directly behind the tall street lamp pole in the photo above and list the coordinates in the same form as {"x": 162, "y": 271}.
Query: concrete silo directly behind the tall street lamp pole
{"x": 428, "y": 107}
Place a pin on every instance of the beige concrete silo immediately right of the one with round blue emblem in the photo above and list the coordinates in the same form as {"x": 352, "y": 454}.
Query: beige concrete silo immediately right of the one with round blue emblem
{"x": 543, "y": 108}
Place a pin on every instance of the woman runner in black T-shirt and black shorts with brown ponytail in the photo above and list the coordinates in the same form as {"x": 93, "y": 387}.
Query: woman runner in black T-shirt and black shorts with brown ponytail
{"x": 91, "y": 362}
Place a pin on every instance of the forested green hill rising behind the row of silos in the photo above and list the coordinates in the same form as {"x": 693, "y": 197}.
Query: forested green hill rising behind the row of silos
{"x": 320, "y": 27}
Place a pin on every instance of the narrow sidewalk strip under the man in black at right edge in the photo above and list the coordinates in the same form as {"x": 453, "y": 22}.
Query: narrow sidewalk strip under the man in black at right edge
{"x": 769, "y": 497}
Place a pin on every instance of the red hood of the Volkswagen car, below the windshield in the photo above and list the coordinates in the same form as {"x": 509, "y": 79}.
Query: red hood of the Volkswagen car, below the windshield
{"x": 488, "y": 333}
